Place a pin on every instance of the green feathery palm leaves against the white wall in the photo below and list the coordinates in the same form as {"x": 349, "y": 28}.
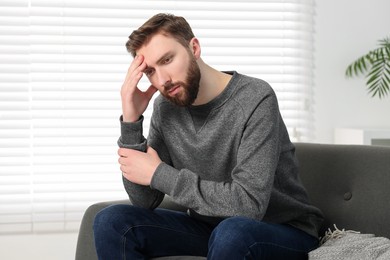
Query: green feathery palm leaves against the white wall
{"x": 376, "y": 64}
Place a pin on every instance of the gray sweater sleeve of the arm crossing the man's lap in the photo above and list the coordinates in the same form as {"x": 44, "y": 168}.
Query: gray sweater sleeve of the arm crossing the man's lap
{"x": 248, "y": 191}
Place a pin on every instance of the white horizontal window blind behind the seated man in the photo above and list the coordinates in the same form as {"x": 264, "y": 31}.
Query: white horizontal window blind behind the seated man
{"x": 62, "y": 63}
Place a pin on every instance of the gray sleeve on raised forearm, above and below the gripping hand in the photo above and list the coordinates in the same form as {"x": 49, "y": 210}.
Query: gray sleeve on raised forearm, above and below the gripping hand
{"x": 132, "y": 138}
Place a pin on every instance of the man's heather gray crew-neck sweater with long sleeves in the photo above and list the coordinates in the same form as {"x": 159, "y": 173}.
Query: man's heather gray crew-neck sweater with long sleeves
{"x": 240, "y": 162}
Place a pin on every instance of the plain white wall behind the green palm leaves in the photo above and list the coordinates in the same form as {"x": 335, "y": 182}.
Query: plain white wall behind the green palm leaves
{"x": 346, "y": 30}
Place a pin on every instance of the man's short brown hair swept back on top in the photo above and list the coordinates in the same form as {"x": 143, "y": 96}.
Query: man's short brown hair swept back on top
{"x": 174, "y": 26}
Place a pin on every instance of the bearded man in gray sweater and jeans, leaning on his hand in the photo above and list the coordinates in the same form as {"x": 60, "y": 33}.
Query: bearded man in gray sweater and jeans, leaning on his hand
{"x": 218, "y": 146}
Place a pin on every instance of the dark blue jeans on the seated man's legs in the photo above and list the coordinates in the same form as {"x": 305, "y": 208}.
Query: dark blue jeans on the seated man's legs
{"x": 129, "y": 232}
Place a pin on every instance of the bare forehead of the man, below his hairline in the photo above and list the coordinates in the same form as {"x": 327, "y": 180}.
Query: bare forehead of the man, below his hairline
{"x": 157, "y": 46}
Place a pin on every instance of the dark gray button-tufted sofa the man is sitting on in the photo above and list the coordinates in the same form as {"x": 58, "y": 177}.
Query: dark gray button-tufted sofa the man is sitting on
{"x": 349, "y": 183}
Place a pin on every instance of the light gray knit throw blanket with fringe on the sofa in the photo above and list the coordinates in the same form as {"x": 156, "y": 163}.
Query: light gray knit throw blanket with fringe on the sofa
{"x": 351, "y": 245}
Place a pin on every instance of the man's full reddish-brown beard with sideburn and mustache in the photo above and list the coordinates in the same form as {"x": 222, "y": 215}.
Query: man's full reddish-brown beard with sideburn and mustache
{"x": 190, "y": 87}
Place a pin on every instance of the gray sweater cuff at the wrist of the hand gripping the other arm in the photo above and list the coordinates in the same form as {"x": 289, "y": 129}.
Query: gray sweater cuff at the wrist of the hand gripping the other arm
{"x": 164, "y": 178}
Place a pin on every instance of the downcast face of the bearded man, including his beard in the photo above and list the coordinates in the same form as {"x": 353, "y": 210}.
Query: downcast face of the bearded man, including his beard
{"x": 172, "y": 69}
